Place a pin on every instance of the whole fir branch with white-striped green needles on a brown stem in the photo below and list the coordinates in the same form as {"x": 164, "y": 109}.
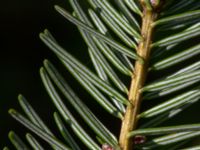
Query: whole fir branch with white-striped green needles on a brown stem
{"x": 112, "y": 35}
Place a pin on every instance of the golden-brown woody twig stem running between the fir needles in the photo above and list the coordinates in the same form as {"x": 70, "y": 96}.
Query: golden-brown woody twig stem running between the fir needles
{"x": 135, "y": 96}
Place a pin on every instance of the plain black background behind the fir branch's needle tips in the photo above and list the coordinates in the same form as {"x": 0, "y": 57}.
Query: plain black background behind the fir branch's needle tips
{"x": 22, "y": 54}
